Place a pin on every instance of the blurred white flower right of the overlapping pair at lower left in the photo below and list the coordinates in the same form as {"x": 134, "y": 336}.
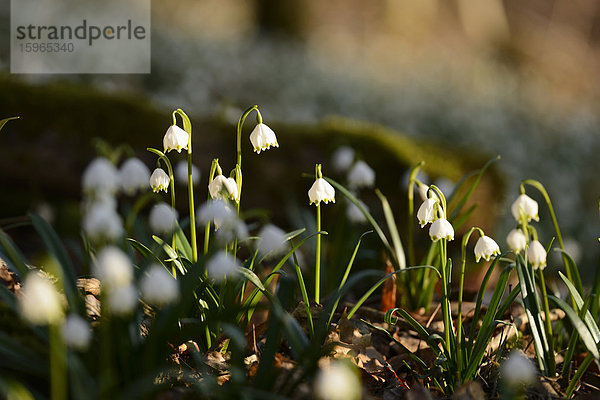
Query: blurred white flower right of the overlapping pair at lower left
{"x": 158, "y": 286}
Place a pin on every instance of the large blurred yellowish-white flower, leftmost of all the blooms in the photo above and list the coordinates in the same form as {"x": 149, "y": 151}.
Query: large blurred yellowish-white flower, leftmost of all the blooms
{"x": 40, "y": 303}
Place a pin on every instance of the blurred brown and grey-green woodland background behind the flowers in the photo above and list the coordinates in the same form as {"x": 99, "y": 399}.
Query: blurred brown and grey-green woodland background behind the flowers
{"x": 474, "y": 79}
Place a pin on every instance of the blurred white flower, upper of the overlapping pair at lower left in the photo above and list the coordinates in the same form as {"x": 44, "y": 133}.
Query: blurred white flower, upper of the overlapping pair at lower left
{"x": 113, "y": 268}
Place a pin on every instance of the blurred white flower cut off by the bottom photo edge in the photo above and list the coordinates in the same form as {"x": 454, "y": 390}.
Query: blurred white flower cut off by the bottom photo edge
{"x": 337, "y": 381}
